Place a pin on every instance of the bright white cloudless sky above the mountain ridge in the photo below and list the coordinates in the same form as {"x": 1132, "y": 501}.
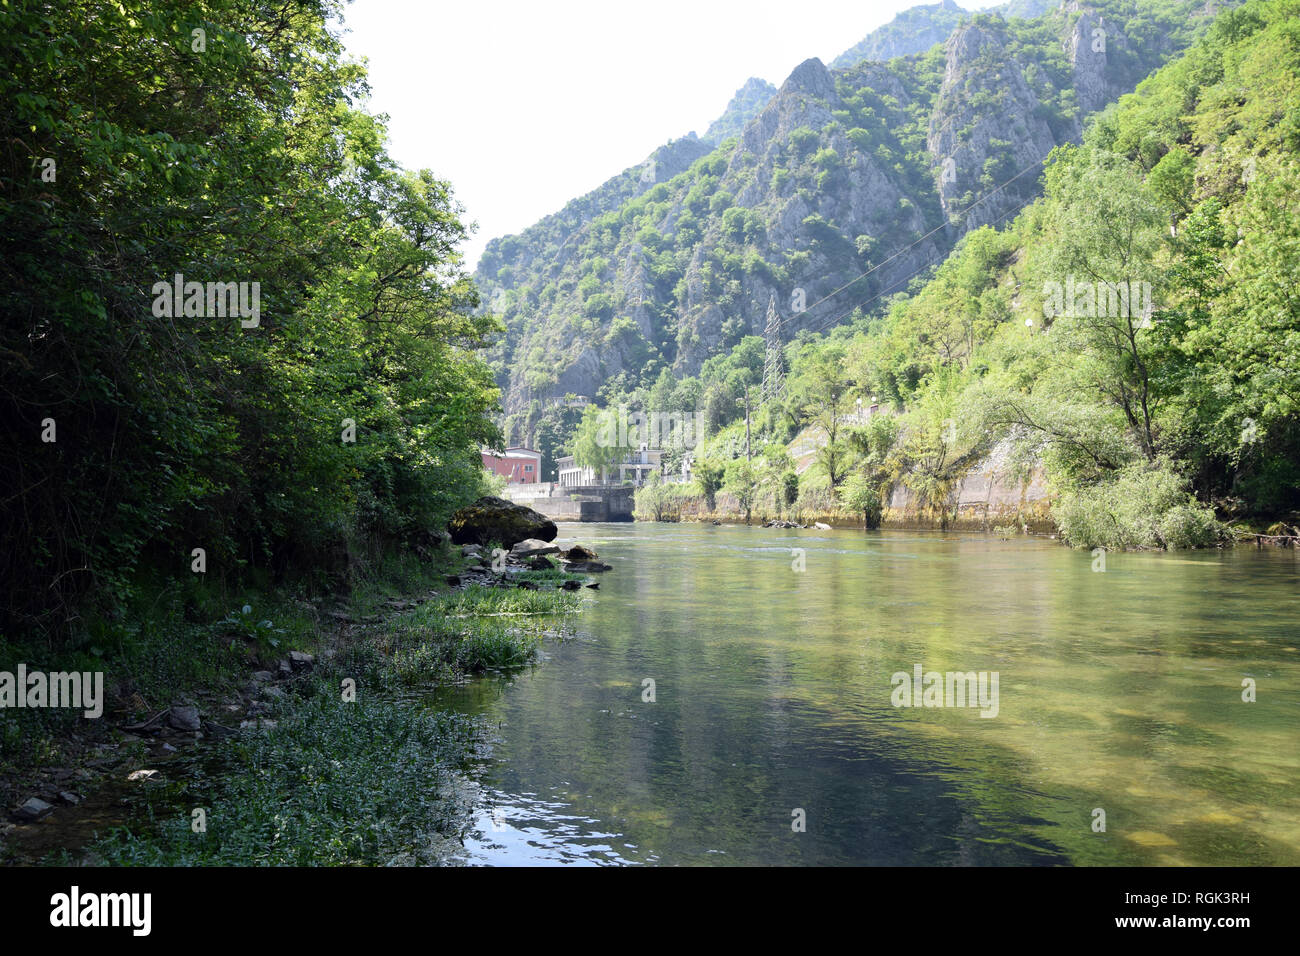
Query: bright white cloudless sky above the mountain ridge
{"x": 526, "y": 105}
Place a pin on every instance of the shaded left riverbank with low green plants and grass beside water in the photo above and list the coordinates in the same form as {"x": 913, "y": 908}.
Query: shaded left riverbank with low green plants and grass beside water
{"x": 288, "y": 739}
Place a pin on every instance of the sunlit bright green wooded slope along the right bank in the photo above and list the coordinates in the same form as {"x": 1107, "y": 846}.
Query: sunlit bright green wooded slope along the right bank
{"x": 1136, "y": 331}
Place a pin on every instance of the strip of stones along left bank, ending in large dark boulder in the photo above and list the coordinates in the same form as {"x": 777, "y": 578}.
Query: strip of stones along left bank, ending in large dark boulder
{"x": 105, "y": 767}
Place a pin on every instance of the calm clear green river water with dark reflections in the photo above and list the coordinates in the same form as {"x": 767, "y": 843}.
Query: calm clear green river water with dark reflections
{"x": 1119, "y": 691}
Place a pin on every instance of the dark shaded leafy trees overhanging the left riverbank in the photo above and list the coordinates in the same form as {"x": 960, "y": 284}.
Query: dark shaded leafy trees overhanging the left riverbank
{"x": 158, "y": 423}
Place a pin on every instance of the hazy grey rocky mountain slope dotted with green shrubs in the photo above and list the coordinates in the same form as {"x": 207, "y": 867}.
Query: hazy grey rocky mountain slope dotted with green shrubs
{"x": 878, "y": 168}
